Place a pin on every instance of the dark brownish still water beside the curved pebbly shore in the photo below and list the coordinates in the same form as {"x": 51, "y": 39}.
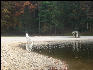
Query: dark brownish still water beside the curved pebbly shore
{"x": 79, "y": 56}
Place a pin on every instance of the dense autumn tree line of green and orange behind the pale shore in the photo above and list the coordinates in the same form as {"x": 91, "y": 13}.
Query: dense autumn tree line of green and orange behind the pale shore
{"x": 43, "y": 17}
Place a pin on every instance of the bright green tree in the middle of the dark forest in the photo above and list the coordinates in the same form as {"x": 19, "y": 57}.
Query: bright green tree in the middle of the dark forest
{"x": 48, "y": 13}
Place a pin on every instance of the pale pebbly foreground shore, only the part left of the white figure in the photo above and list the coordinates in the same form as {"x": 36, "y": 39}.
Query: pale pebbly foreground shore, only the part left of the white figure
{"x": 14, "y": 57}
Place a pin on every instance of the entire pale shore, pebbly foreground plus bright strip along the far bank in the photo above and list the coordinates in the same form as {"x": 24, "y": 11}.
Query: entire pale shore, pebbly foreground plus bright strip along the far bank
{"x": 14, "y": 56}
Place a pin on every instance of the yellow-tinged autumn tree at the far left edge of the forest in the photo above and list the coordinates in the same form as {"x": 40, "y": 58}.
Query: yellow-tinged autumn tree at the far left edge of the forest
{"x": 7, "y": 9}
